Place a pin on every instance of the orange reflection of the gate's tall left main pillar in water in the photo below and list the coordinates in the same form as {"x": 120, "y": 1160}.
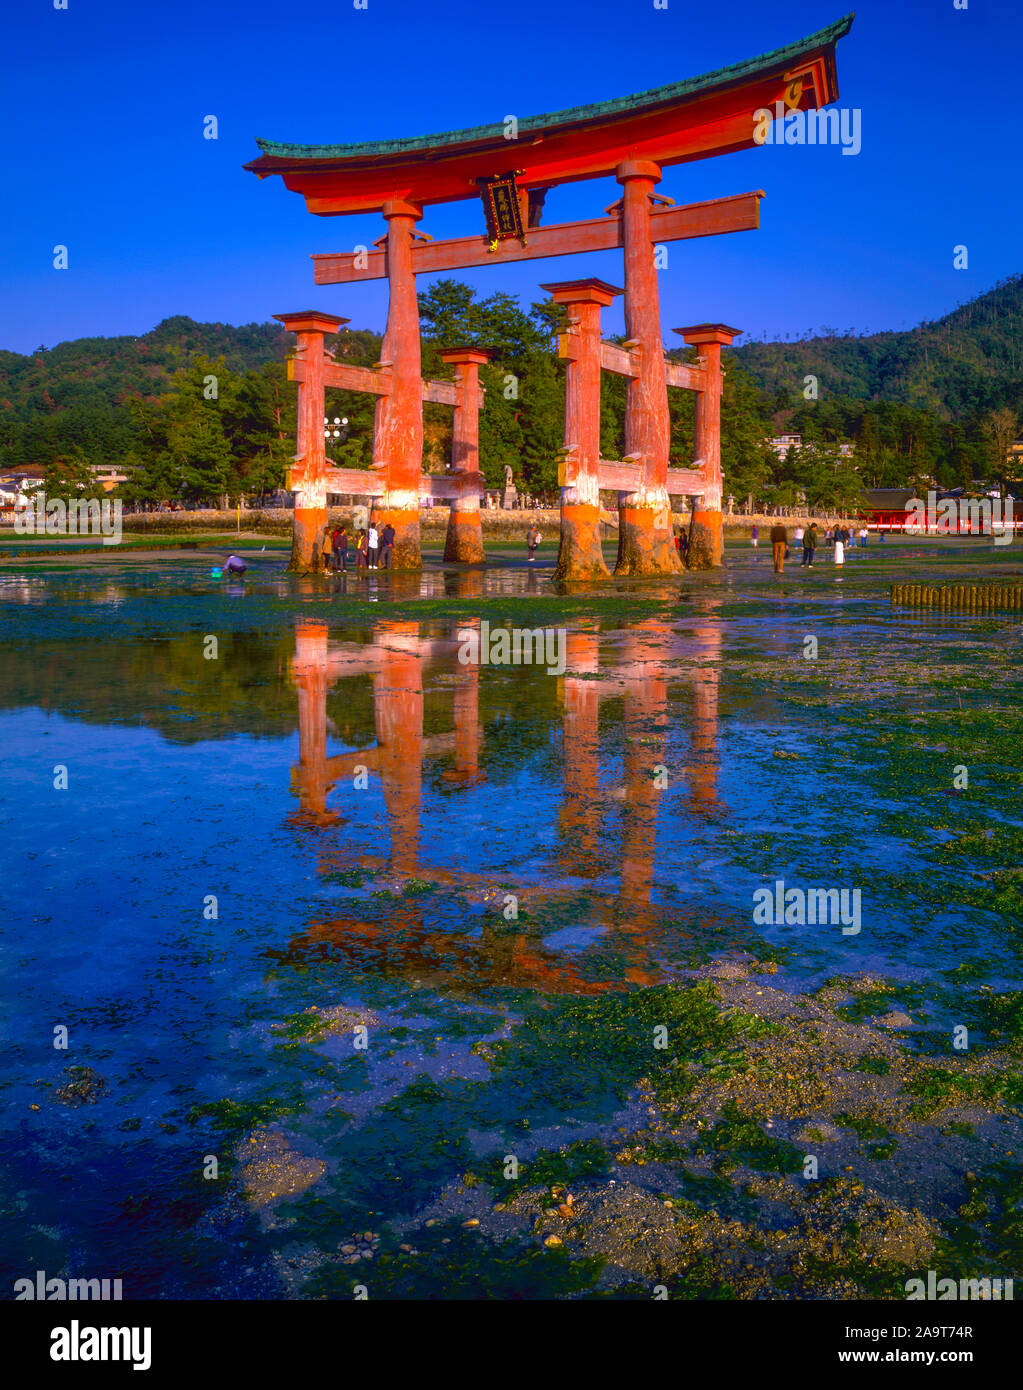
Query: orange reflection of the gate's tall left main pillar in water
{"x": 398, "y": 714}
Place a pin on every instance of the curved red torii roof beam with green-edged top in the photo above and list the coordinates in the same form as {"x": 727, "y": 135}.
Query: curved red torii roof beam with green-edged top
{"x": 675, "y": 124}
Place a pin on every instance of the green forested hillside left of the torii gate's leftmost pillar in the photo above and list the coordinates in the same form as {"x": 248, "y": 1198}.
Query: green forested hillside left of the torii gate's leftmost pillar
{"x": 144, "y": 404}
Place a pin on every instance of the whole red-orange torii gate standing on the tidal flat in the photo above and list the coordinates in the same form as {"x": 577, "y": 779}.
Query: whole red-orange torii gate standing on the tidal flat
{"x": 633, "y": 140}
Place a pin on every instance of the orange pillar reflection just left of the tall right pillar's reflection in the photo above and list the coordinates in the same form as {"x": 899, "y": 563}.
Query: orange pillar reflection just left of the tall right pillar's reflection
{"x": 580, "y": 817}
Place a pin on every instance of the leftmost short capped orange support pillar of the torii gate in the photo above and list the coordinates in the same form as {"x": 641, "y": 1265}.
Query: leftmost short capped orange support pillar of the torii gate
{"x": 309, "y": 479}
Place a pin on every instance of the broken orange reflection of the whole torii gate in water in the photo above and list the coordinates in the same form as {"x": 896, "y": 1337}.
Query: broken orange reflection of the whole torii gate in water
{"x": 395, "y": 660}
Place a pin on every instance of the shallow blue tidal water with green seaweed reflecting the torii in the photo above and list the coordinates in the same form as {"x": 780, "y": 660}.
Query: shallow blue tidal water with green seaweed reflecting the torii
{"x": 361, "y": 922}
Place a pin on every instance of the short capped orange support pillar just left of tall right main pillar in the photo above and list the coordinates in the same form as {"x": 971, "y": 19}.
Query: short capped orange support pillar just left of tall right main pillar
{"x": 580, "y": 555}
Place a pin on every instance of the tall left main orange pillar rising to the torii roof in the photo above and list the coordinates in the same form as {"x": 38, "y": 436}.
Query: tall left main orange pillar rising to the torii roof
{"x": 398, "y": 425}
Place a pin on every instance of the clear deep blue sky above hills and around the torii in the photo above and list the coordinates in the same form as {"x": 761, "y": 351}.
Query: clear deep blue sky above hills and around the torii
{"x": 104, "y": 152}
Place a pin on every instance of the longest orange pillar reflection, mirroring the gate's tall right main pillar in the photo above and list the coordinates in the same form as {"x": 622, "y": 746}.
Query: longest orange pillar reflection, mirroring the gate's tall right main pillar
{"x": 644, "y": 730}
